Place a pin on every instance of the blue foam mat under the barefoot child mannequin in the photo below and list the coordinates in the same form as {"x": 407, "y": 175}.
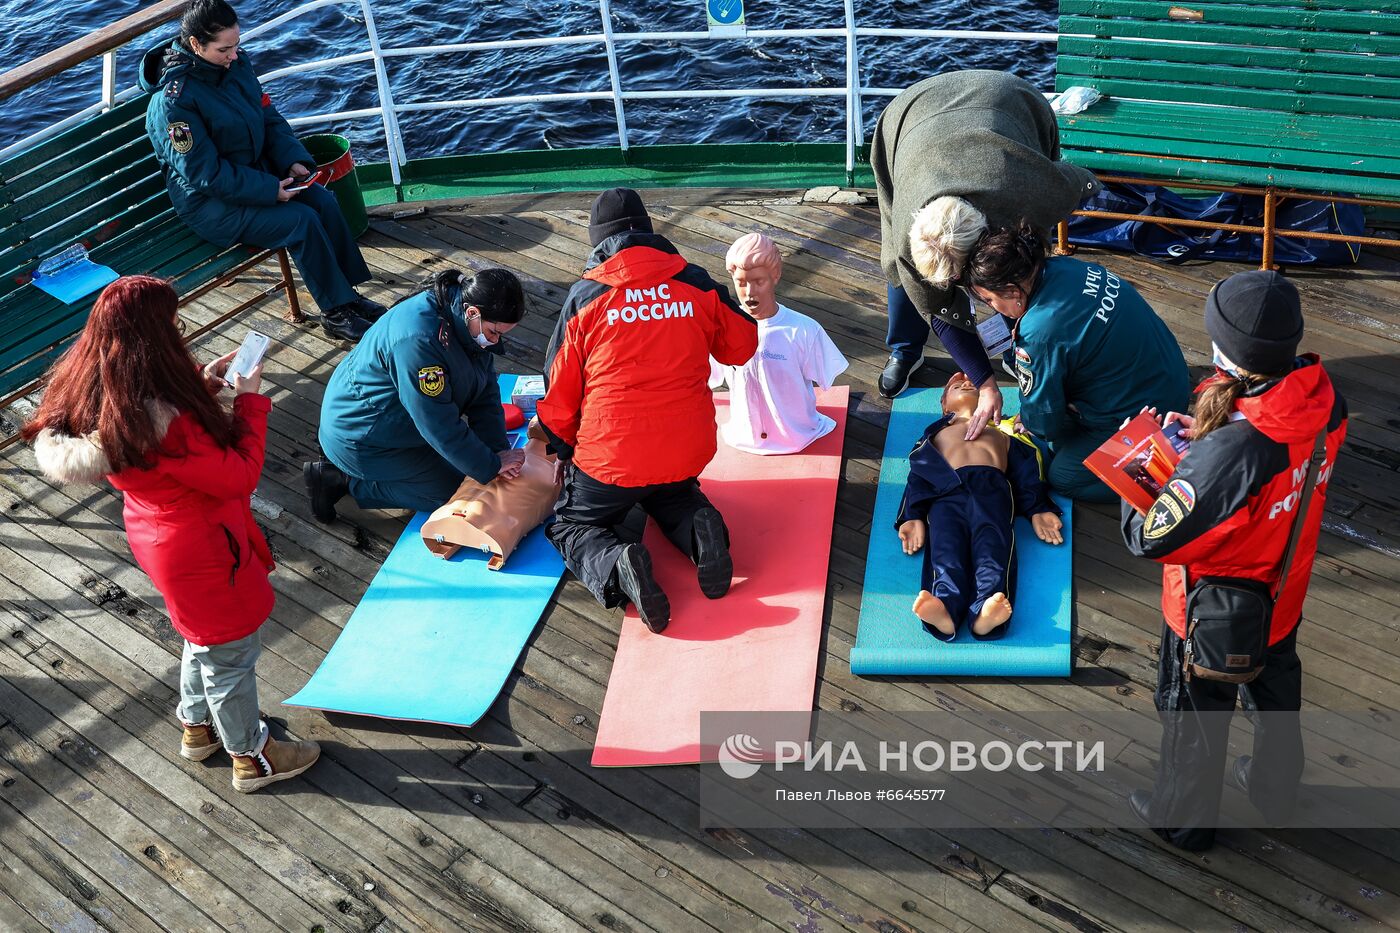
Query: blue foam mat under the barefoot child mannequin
{"x": 890, "y": 640}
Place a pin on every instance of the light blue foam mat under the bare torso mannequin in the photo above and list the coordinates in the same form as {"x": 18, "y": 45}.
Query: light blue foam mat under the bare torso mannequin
{"x": 435, "y": 641}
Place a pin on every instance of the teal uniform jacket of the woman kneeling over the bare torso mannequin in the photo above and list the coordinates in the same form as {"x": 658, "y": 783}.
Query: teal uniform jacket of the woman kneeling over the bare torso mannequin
{"x": 402, "y": 393}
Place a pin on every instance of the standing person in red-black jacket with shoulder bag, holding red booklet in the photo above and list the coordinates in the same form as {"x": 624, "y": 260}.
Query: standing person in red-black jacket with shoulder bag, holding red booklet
{"x": 1228, "y": 513}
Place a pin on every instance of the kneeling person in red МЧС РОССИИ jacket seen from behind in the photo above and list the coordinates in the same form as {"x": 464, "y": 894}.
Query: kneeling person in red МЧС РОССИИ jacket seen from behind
{"x": 629, "y": 408}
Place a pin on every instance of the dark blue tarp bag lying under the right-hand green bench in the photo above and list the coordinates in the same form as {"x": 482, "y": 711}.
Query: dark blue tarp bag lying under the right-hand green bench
{"x": 1179, "y": 244}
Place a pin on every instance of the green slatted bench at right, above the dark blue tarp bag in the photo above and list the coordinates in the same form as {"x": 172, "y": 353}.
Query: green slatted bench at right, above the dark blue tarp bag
{"x": 1280, "y": 99}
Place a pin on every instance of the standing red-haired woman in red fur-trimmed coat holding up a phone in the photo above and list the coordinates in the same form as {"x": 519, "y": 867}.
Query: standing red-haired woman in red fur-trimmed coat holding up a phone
{"x": 129, "y": 403}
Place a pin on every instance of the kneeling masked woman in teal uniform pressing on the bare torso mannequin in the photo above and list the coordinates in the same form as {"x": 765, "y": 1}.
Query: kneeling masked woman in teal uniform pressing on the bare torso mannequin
{"x": 393, "y": 418}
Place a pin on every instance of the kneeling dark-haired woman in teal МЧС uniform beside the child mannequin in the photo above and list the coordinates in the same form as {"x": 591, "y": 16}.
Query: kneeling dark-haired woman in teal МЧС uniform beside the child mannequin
{"x": 1088, "y": 350}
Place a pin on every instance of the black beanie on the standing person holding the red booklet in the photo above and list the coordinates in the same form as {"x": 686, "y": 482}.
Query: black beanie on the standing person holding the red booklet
{"x": 1256, "y": 320}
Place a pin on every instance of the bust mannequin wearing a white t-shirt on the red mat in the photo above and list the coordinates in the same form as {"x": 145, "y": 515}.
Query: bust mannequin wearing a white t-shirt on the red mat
{"x": 772, "y": 401}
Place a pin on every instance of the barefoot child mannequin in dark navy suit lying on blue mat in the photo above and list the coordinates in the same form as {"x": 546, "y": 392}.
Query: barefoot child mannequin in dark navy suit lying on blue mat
{"x": 962, "y": 498}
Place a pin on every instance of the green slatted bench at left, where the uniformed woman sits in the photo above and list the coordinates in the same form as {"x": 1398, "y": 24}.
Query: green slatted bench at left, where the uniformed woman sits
{"x": 99, "y": 184}
